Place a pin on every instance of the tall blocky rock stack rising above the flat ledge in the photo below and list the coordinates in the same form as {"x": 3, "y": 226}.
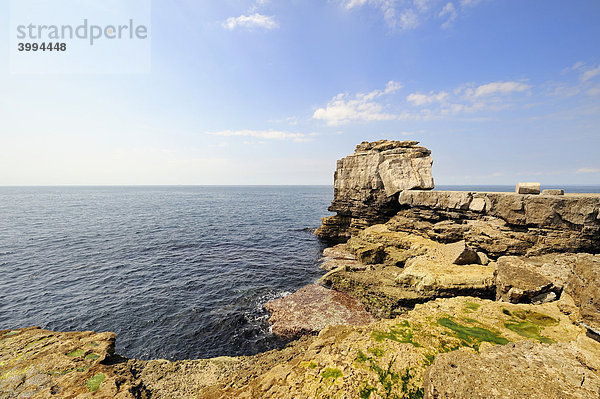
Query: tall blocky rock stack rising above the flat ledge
{"x": 367, "y": 184}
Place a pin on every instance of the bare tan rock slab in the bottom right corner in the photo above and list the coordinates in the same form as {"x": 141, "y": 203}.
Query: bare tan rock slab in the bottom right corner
{"x": 520, "y": 370}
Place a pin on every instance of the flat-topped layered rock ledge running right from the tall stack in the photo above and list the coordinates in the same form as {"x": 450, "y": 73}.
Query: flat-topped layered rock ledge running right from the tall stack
{"x": 509, "y": 224}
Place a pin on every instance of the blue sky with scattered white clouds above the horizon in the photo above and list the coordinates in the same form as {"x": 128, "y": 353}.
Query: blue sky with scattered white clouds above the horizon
{"x": 275, "y": 91}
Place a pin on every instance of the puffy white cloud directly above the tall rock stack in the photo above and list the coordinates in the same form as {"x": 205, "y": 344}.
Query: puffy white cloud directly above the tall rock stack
{"x": 343, "y": 108}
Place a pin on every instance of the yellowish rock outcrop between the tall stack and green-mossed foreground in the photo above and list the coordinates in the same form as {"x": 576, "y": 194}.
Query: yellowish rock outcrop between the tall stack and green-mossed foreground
{"x": 402, "y": 269}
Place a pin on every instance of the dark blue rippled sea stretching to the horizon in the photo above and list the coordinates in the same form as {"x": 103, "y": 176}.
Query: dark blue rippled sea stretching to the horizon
{"x": 179, "y": 272}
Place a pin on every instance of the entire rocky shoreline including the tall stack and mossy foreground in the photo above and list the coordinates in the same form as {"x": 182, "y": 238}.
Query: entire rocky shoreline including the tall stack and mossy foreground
{"x": 430, "y": 294}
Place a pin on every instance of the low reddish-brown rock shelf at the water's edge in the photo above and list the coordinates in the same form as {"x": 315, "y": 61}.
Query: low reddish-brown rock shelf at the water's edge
{"x": 312, "y": 308}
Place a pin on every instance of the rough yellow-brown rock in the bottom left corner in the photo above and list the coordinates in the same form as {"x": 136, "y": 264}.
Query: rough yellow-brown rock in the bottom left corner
{"x": 46, "y": 364}
